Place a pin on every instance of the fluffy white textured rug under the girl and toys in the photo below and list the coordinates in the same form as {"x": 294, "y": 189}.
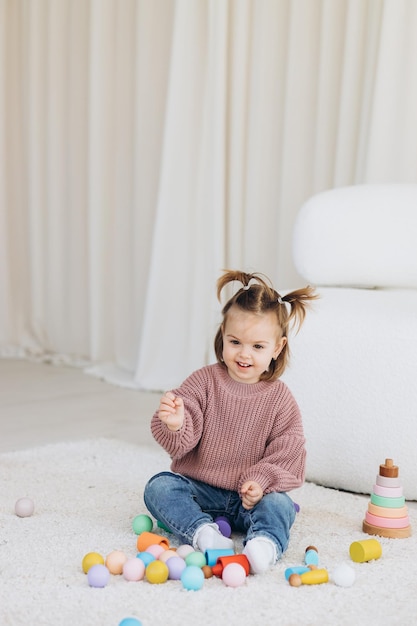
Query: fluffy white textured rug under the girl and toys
{"x": 86, "y": 496}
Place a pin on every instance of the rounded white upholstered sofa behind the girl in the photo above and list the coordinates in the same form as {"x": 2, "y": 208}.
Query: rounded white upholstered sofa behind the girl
{"x": 353, "y": 367}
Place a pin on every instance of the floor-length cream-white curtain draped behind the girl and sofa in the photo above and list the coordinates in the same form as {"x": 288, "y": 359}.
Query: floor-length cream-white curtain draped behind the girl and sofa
{"x": 145, "y": 145}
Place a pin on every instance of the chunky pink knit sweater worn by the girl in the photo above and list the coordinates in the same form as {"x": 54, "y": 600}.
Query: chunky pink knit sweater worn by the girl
{"x": 234, "y": 432}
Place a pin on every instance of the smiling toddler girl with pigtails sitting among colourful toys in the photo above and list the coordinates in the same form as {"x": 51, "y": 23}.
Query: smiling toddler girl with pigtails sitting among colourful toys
{"x": 234, "y": 431}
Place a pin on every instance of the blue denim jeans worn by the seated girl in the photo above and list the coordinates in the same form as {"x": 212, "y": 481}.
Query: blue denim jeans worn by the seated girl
{"x": 183, "y": 505}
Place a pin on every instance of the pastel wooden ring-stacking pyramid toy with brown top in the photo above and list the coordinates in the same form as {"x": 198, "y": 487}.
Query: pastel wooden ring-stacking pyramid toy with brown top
{"x": 387, "y": 514}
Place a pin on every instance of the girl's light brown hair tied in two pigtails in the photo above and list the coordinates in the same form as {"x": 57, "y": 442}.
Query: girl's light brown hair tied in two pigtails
{"x": 258, "y": 296}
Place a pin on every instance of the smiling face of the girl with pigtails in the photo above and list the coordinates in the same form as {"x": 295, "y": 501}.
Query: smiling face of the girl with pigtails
{"x": 250, "y": 341}
